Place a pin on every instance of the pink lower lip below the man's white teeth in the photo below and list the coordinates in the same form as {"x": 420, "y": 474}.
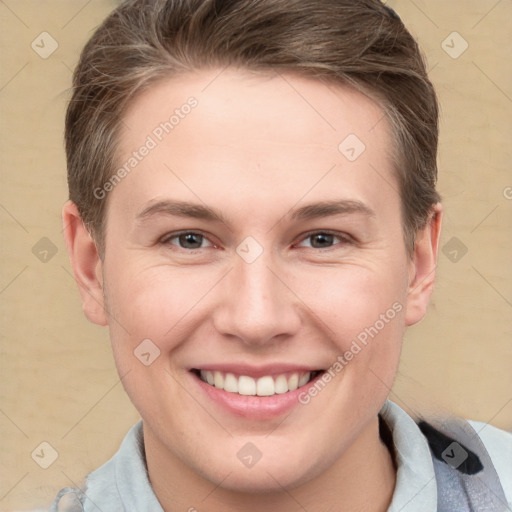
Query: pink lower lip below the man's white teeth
{"x": 259, "y": 408}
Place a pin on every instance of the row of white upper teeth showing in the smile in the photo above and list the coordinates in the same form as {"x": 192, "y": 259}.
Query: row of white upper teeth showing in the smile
{"x": 264, "y": 386}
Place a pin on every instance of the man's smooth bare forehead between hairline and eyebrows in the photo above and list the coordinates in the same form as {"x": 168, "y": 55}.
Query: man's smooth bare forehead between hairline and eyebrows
{"x": 264, "y": 135}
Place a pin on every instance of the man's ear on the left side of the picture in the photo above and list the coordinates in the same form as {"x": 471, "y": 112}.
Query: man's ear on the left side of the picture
{"x": 86, "y": 264}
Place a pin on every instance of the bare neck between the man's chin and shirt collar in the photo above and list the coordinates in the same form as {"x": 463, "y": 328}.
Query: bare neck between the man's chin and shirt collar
{"x": 362, "y": 479}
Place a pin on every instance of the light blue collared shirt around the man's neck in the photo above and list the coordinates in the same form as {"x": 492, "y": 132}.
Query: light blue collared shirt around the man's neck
{"x": 122, "y": 484}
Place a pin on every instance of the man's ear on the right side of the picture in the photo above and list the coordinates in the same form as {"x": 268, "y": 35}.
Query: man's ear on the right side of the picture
{"x": 422, "y": 270}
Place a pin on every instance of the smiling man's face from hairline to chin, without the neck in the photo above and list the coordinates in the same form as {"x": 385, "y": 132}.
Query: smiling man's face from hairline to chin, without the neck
{"x": 257, "y": 247}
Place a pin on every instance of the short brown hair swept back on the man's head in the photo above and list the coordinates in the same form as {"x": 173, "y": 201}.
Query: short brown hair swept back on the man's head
{"x": 361, "y": 43}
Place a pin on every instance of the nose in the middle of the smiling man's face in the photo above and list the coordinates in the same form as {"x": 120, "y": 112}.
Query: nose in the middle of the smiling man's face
{"x": 257, "y": 306}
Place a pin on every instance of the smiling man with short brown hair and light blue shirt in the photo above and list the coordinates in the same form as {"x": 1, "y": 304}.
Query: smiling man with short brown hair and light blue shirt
{"x": 253, "y": 214}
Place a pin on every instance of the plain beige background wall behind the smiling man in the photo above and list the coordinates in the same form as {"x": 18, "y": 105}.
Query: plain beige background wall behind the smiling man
{"x": 59, "y": 382}
